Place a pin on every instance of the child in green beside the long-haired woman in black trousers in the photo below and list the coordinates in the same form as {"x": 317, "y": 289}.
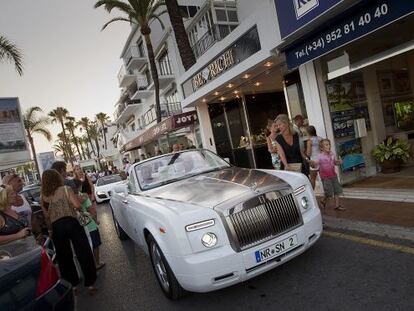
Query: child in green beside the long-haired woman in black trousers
{"x": 92, "y": 227}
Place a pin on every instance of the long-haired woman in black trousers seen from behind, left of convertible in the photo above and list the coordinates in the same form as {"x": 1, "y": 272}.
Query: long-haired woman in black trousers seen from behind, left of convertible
{"x": 60, "y": 204}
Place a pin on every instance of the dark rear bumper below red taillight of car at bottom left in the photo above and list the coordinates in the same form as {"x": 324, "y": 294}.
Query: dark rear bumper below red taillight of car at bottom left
{"x": 59, "y": 297}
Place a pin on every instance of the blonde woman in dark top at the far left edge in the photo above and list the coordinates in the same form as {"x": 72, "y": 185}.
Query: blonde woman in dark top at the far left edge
{"x": 11, "y": 227}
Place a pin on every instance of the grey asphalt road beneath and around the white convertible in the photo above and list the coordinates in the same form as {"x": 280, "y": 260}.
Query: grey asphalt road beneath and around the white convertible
{"x": 336, "y": 274}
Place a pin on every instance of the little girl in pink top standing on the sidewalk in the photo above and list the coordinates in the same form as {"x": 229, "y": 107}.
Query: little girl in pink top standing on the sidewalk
{"x": 326, "y": 160}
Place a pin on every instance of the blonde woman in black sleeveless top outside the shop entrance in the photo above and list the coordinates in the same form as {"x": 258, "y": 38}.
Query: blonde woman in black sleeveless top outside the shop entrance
{"x": 288, "y": 147}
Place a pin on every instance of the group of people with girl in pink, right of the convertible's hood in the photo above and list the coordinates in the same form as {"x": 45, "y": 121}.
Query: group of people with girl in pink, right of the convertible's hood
{"x": 296, "y": 147}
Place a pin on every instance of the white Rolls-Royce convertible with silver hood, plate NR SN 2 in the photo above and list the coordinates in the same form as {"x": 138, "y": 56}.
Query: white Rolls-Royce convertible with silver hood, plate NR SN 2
{"x": 206, "y": 224}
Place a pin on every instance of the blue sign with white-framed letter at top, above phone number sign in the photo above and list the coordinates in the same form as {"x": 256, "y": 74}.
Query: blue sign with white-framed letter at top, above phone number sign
{"x": 294, "y": 14}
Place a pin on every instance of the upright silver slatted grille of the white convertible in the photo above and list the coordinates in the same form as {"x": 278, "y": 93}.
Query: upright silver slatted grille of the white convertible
{"x": 265, "y": 221}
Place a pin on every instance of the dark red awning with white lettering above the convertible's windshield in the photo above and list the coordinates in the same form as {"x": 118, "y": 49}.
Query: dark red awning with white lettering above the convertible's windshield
{"x": 170, "y": 124}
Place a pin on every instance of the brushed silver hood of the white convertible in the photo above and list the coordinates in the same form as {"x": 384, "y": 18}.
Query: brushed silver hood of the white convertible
{"x": 214, "y": 188}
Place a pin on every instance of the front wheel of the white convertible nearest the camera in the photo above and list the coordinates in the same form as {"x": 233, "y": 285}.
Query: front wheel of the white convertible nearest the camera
{"x": 165, "y": 276}
